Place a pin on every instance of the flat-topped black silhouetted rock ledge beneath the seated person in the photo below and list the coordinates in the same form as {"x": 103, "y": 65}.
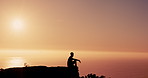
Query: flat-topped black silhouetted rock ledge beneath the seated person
{"x": 39, "y": 72}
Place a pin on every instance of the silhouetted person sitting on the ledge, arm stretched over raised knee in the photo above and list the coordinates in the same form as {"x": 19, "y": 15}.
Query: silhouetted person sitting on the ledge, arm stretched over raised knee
{"x": 72, "y": 62}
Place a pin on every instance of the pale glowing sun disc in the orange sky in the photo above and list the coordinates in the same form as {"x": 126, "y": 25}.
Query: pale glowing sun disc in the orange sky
{"x": 17, "y": 24}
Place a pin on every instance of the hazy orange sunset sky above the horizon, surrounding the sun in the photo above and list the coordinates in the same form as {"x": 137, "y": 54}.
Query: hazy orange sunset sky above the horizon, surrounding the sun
{"x": 75, "y": 25}
